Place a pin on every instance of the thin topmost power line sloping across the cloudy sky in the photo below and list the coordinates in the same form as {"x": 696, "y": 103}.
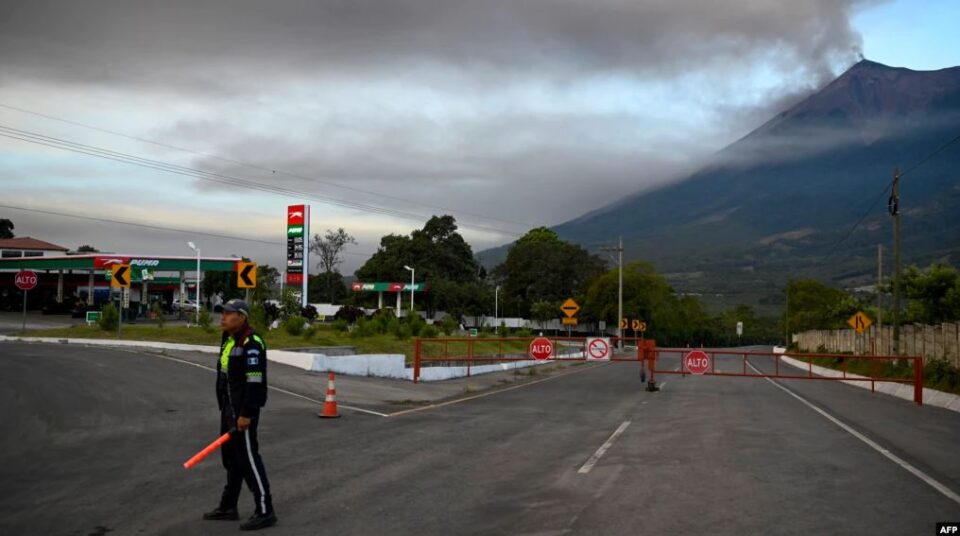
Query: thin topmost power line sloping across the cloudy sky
{"x": 259, "y": 167}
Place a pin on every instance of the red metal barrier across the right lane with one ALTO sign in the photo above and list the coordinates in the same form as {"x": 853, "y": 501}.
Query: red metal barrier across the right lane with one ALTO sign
{"x": 735, "y": 363}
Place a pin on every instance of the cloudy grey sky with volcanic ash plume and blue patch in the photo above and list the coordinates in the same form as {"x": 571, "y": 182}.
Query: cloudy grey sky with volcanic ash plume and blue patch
{"x": 198, "y": 120}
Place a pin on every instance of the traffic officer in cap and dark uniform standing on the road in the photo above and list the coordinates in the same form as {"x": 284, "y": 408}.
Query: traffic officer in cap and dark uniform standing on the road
{"x": 241, "y": 392}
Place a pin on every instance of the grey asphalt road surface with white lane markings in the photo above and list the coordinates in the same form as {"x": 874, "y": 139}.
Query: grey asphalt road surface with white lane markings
{"x": 95, "y": 439}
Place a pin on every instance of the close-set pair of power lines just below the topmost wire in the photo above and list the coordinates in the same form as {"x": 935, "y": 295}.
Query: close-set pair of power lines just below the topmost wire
{"x": 59, "y": 143}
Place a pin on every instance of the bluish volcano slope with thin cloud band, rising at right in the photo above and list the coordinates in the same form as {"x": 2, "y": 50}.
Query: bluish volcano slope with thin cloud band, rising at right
{"x": 779, "y": 202}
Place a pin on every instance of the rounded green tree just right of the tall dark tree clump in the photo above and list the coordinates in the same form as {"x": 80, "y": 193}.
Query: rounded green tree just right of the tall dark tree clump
{"x": 542, "y": 267}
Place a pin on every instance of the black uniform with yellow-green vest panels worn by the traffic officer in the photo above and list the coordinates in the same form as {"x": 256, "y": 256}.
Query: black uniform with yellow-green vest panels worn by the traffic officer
{"x": 241, "y": 392}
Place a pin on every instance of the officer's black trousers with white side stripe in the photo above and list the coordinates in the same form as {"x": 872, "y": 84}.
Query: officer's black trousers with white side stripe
{"x": 241, "y": 459}
